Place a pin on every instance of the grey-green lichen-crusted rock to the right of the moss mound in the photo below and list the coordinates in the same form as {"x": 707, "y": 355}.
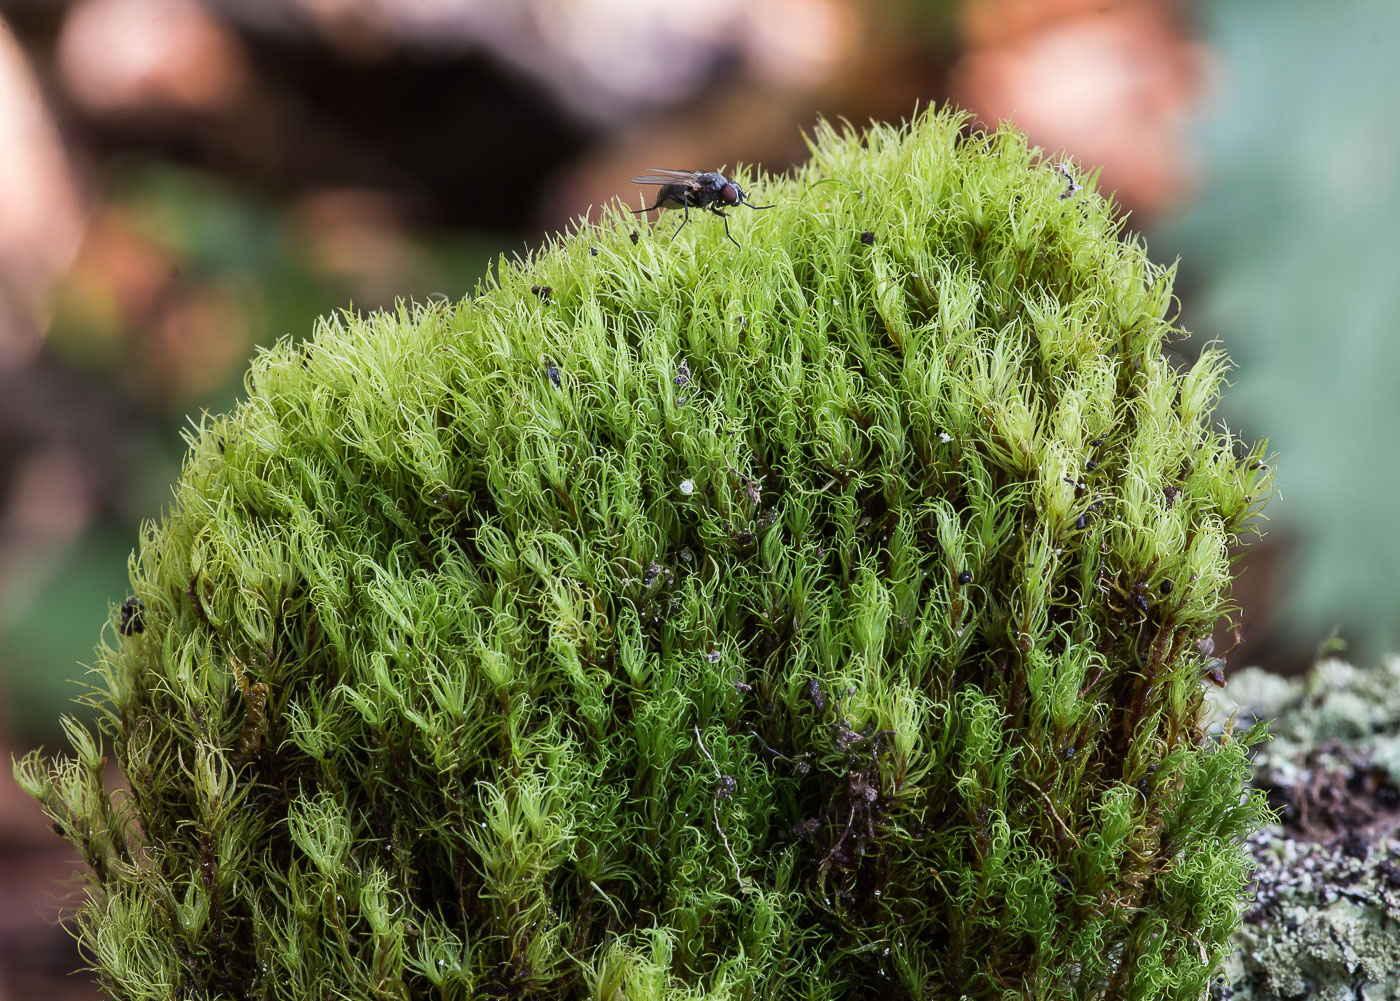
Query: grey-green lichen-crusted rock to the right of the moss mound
{"x": 1325, "y": 908}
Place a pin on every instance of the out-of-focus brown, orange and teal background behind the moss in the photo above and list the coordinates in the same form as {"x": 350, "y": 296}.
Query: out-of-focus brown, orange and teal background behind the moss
{"x": 183, "y": 181}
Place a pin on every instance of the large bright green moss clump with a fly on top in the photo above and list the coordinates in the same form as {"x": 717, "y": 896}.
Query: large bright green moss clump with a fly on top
{"x": 815, "y": 619}
